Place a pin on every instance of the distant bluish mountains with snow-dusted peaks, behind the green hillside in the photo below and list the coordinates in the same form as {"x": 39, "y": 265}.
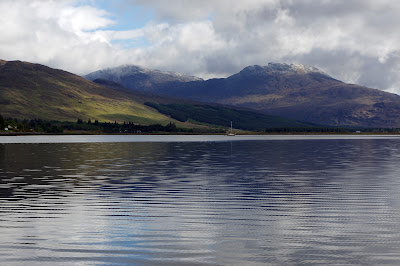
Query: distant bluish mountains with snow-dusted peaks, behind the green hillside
{"x": 294, "y": 91}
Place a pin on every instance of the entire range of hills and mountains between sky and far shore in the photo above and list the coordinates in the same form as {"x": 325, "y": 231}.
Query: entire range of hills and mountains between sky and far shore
{"x": 275, "y": 95}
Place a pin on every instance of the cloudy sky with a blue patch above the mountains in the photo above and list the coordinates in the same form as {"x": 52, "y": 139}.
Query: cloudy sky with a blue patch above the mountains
{"x": 356, "y": 41}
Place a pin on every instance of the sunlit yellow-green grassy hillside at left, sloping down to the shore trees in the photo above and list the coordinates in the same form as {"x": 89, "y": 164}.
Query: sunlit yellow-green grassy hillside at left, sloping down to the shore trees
{"x": 36, "y": 91}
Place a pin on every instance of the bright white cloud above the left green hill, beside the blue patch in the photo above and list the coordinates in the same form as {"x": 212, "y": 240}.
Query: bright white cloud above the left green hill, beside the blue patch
{"x": 52, "y": 33}
